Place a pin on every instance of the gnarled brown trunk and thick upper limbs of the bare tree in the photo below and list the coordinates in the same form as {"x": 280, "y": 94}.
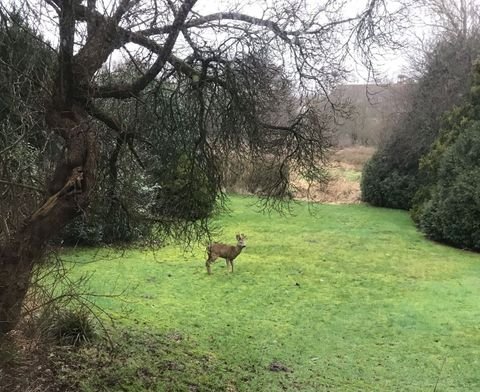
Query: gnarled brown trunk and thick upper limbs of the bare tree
{"x": 74, "y": 177}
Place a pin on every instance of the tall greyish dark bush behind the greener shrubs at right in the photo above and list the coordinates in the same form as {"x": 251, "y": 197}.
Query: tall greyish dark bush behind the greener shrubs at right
{"x": 393, "y": 176}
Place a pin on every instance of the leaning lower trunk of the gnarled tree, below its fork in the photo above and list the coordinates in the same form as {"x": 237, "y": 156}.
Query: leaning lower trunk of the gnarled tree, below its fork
{"x": 69, "y": 194}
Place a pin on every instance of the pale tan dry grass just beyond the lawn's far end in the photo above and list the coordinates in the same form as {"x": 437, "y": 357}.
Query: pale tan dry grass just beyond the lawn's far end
{"x": 344, "y": 186}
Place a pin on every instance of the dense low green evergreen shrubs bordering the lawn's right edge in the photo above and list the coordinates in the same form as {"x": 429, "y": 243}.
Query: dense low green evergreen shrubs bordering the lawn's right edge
{"x": 443, "y": 192}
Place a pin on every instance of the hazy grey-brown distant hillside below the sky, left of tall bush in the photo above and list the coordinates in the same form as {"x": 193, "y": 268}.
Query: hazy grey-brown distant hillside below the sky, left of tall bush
{"x": 375, "y": 109}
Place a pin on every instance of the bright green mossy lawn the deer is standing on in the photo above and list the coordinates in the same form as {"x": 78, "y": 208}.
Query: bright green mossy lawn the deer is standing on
{"x": 345, "y": 297}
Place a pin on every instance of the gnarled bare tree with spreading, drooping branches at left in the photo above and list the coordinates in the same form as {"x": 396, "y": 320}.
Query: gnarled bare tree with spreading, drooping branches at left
{"x": 212, "y": 58}
